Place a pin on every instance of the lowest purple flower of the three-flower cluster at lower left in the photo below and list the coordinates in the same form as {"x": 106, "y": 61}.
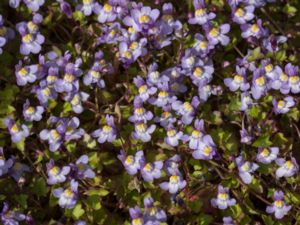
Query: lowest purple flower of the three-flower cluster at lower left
{"x": 67, "y": 197}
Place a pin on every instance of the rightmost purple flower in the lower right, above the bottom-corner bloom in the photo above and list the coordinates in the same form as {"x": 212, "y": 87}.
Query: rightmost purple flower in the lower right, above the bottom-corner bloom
{"x": 287, "y": 167}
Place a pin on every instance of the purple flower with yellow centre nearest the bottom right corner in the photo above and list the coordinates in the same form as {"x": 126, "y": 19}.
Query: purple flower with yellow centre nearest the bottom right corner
{"x": 278, "y": 207}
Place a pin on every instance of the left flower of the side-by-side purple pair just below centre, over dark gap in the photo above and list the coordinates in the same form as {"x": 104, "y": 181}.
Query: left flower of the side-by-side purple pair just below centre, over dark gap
{"x": 132, "y": 163}
